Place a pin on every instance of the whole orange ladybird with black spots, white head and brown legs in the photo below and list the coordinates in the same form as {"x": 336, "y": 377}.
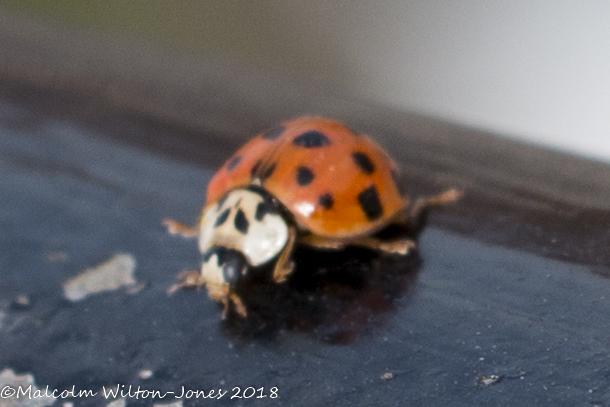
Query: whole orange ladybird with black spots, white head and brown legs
{"x": 310, "y": 181}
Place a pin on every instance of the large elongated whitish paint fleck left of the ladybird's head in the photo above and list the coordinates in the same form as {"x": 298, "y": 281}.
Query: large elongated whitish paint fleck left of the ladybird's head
{"x": 108, "y": 276}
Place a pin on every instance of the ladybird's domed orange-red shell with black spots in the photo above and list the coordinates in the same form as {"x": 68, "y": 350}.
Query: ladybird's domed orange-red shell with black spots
{"x": 336, "y": 183}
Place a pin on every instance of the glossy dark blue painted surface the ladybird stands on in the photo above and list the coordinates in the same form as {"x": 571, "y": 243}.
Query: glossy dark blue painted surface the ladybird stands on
{"x": 348, "y": 329}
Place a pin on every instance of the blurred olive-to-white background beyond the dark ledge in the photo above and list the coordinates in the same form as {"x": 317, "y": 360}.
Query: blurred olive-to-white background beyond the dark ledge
{"x": 533, "y": 70}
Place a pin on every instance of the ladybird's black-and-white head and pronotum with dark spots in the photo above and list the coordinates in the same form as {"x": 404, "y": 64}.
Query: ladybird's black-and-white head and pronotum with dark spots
{"x": 244, "y": 229}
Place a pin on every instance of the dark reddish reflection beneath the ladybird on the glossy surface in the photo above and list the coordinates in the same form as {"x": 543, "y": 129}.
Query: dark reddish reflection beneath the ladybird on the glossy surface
{"x": 334, "y": 296}
